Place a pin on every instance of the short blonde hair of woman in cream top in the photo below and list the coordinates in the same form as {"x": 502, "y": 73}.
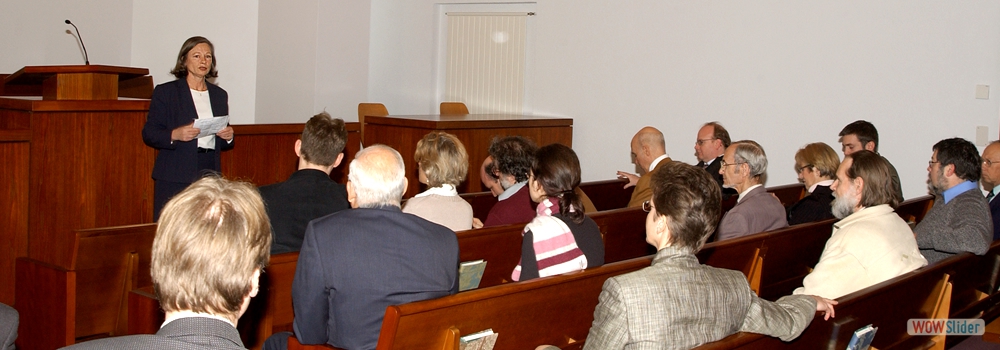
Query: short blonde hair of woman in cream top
{"x": 442, "y": 158}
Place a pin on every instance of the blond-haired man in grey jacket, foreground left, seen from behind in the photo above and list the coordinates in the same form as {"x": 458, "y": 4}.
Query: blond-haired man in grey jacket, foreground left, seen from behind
{"x": 213, "y": 223}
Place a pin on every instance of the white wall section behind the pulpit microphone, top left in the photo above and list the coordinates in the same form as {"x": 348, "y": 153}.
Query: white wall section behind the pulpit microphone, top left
{"x": 32, "y": 32}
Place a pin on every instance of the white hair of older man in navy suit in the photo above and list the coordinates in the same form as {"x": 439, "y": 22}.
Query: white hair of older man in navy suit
{"x": 378, "y": 177}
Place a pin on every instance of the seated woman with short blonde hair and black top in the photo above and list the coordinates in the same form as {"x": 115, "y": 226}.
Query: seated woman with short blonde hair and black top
{"x": 816, "y": 164}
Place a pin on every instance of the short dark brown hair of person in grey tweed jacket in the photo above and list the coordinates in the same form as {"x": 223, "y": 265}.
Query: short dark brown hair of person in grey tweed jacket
{"x": 691, "y": 199}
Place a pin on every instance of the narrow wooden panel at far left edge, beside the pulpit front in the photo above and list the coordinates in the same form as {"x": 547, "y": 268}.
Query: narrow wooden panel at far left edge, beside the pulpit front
{"x": 14, "y": 200}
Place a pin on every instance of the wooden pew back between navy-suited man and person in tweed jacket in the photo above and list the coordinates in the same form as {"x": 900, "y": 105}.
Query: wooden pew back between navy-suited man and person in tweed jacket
{"x": 555, "y": 310}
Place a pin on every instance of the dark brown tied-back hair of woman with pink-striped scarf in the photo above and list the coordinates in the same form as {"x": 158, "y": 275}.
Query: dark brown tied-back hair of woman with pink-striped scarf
{"x": 557, "y": 169}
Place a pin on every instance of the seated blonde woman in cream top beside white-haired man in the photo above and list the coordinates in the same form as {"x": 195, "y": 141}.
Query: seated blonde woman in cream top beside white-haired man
{"x": 442, "y": 164}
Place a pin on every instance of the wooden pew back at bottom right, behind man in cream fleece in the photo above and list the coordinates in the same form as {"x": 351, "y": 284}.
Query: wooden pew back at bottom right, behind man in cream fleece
{"x": 923, "y": 293}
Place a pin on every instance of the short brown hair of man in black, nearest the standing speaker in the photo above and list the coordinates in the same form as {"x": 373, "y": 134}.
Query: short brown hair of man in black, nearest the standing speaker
{"x": 323, "y": 138}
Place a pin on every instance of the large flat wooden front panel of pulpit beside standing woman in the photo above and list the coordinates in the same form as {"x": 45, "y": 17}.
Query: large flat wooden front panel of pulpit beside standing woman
{"x": 89, "y": 169}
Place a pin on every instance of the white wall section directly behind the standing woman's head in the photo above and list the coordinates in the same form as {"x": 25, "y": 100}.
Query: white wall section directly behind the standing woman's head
{"x": 160, "y": 27}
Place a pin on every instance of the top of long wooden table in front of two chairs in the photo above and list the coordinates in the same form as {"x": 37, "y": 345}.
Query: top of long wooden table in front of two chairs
{"x": 469, "y": 121}
